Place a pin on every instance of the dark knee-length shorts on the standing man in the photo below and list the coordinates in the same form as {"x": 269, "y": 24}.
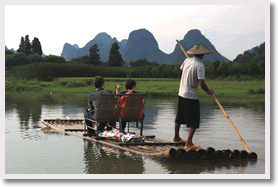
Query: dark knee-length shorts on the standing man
{"x": 188, "y": 112}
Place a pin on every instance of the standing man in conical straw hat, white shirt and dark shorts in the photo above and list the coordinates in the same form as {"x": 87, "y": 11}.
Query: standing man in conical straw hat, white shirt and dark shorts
{"x": 193, "y": 74}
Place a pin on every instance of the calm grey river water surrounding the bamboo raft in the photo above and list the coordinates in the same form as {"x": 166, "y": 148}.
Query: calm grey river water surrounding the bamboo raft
{"x": 31, "y": 148}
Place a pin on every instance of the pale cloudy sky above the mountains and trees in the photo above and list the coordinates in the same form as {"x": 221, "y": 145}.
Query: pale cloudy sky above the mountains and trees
{"x": 232, "y": 29}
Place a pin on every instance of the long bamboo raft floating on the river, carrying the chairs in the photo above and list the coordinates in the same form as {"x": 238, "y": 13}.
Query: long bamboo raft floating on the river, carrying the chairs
{"x": 151, "y": 147}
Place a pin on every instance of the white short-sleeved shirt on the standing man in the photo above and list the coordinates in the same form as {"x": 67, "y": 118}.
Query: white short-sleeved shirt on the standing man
{"x": 193, "y": 69}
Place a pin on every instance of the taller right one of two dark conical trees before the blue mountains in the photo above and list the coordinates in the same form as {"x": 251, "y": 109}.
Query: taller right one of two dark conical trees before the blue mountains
{"x": 115, "y": 57}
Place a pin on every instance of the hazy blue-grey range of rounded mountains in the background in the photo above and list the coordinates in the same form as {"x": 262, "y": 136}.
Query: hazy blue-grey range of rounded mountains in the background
{"x": 142, "y": 44}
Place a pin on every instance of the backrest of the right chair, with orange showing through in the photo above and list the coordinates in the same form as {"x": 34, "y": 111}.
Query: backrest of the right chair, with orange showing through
{"x": 132, "y": 107}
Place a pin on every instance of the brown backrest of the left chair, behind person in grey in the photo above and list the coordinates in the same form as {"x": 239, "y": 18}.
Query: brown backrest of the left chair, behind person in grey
{"x": 106, "y": 111}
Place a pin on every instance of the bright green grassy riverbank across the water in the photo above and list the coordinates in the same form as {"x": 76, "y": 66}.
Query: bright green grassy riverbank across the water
{"x": 231, "y": 91}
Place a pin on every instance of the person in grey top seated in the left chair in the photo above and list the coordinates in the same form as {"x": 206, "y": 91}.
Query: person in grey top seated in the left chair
{"x": 93, "y": 102}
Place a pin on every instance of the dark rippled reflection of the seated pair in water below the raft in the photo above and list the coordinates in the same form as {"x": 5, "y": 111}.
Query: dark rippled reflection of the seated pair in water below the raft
{"x": 100, "y": 159}
